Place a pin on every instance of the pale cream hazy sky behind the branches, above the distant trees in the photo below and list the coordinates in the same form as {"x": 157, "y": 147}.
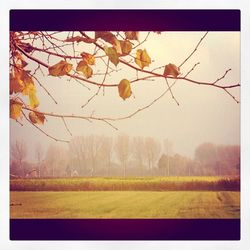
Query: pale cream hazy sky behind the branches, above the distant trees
{"x": 205, "y": 114}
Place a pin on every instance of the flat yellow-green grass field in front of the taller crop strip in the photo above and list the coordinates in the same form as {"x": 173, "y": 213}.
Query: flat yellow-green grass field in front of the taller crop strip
{"x": 125, "y": 204}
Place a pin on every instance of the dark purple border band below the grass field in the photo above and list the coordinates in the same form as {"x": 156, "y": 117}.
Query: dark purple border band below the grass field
{"x": 125, "y": 229}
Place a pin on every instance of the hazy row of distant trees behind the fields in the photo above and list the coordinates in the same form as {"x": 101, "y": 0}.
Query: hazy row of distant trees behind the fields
{"x": 124, "y": 156}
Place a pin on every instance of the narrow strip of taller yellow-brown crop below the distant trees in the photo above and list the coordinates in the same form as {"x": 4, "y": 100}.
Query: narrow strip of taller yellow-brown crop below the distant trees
{"x": 128, "y": 184}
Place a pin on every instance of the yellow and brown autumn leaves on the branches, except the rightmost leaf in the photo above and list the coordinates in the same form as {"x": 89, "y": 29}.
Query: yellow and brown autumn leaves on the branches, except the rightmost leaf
{"x": 22, "y": 81}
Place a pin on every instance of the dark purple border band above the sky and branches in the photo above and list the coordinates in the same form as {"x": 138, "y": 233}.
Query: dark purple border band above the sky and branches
{"x": 141, "y": 20}
